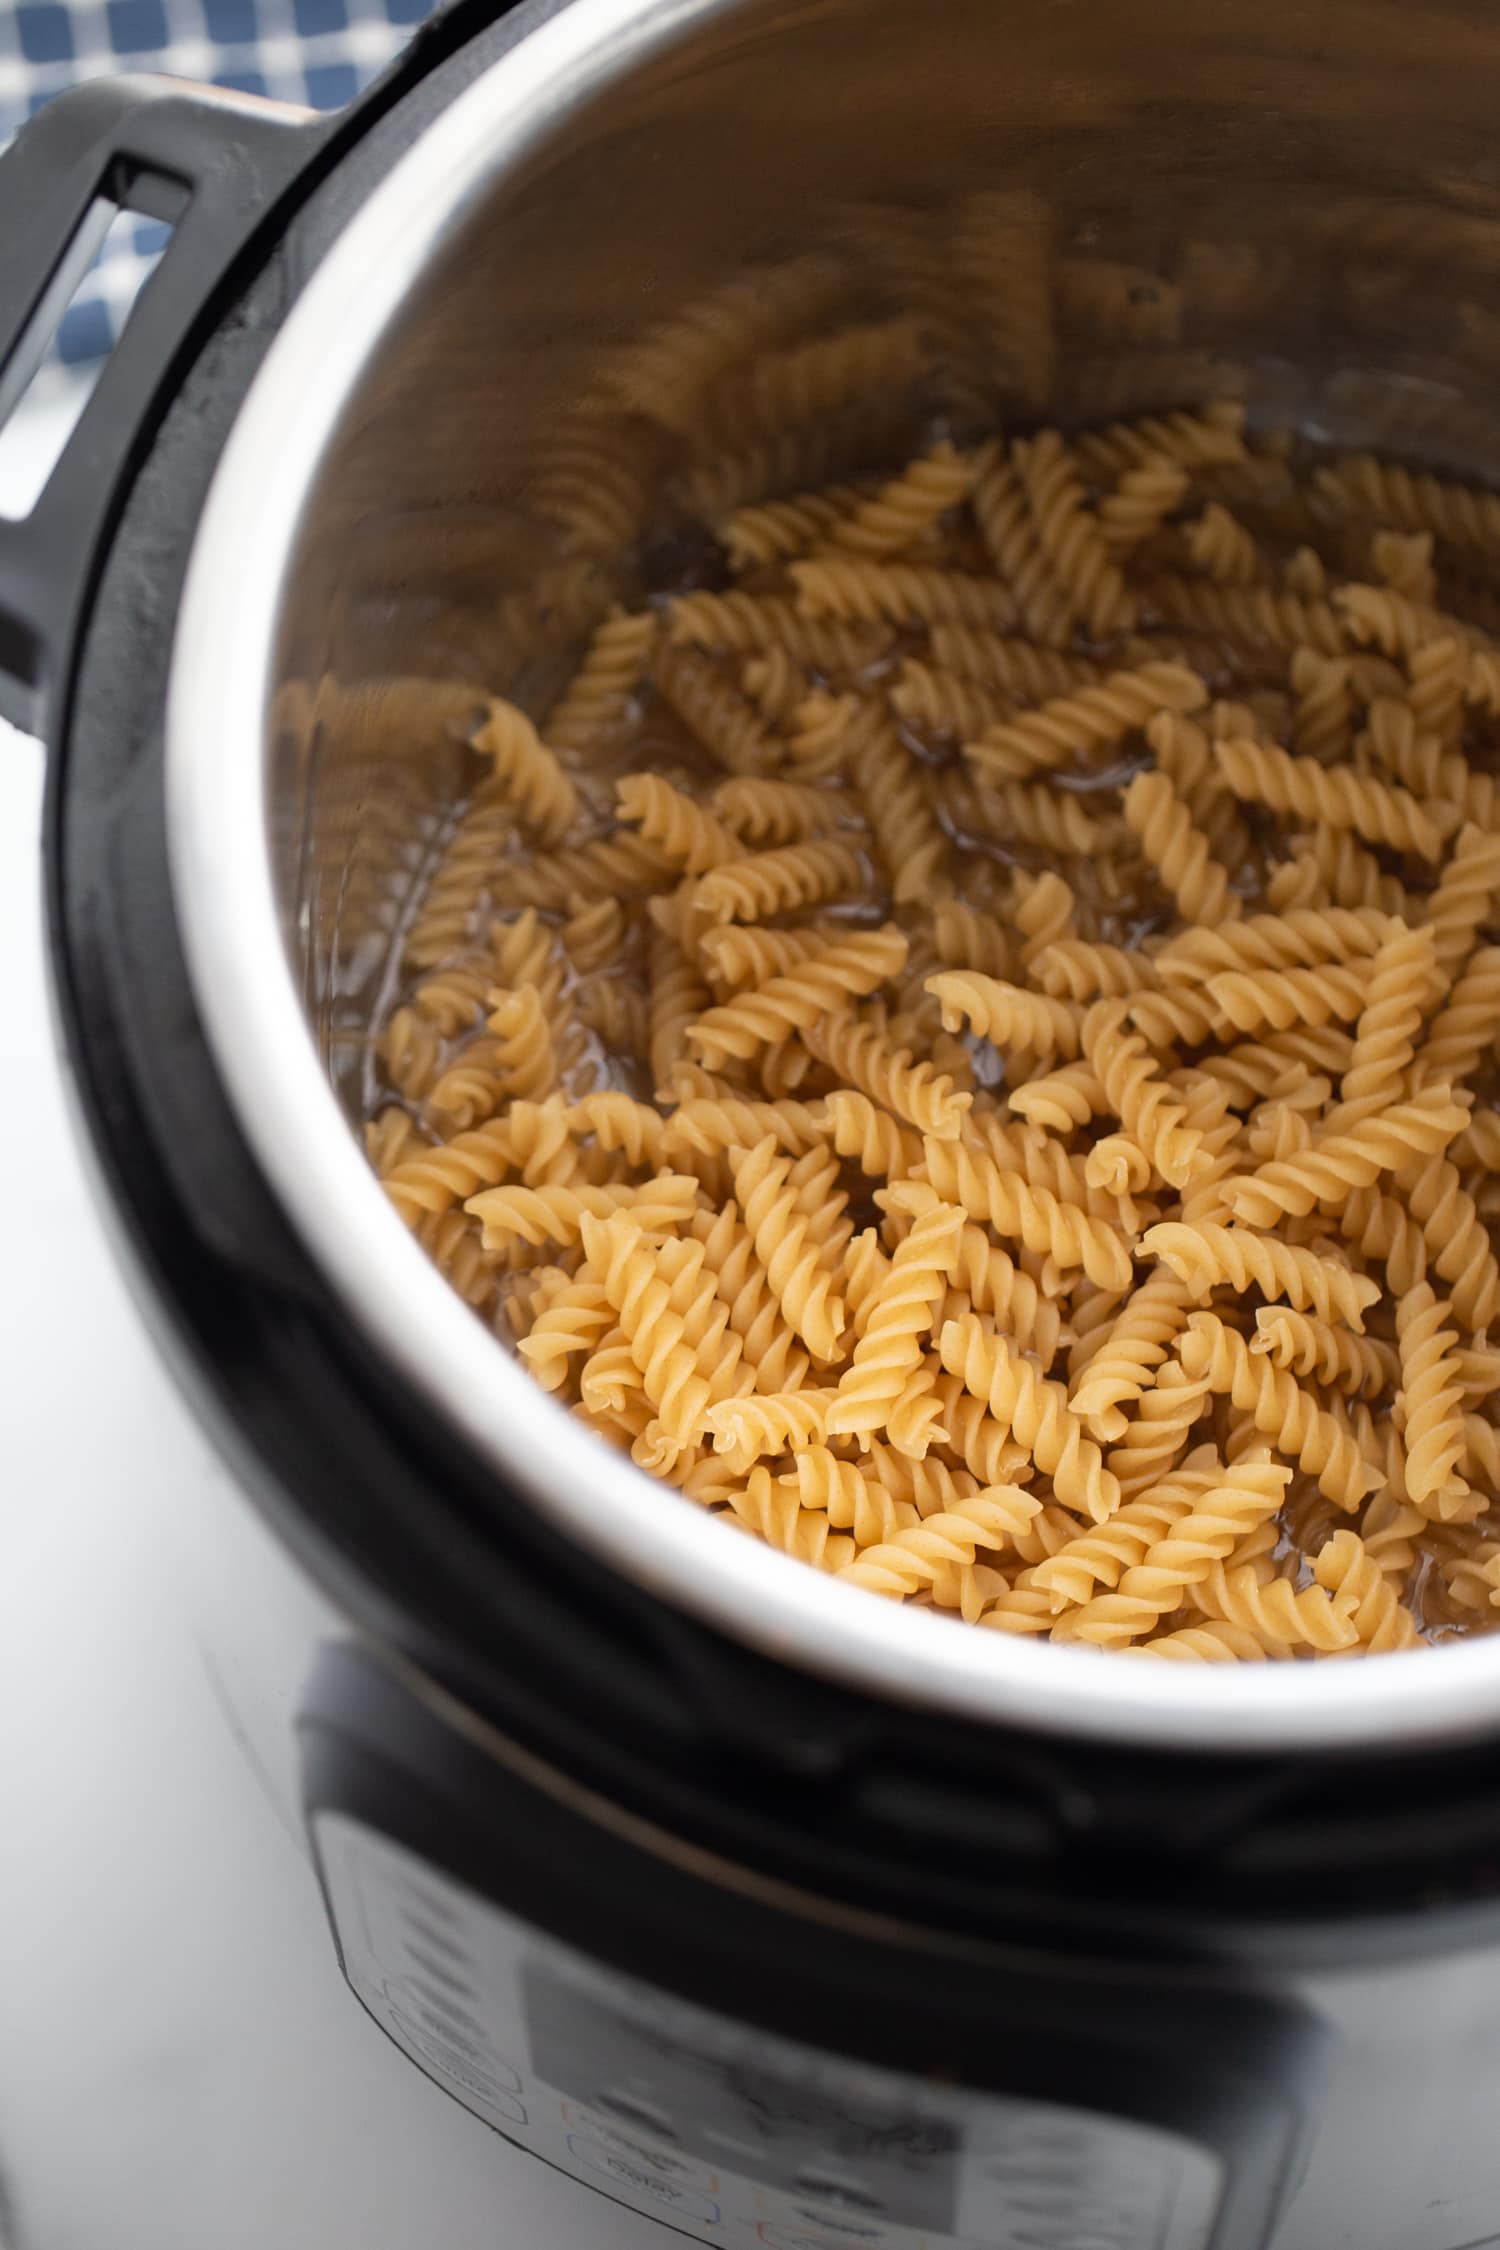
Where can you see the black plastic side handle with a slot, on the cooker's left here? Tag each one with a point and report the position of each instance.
(213, 165)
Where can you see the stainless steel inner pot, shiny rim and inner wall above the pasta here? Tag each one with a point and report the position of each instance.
(471, 438)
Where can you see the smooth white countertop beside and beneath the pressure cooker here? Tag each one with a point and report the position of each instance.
(181, 2062)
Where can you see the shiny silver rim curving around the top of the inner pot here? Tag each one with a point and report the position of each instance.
(257, 1032)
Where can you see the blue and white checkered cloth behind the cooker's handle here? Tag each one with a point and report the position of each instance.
(316, 53)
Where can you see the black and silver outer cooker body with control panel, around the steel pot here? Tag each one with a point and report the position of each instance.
(752, 1956)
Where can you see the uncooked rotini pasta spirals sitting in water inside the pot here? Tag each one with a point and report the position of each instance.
(968, 1041)
